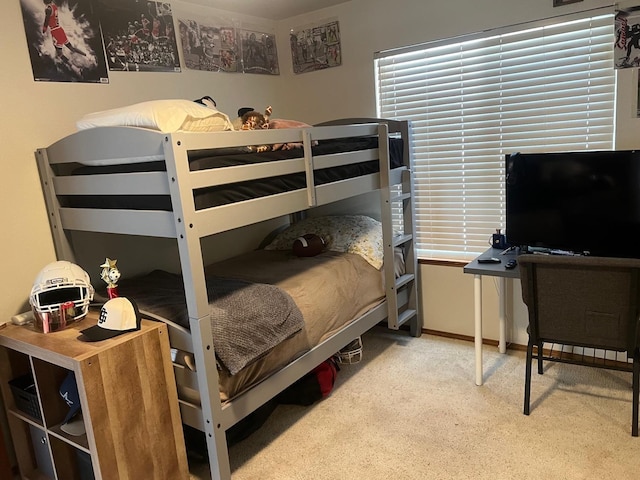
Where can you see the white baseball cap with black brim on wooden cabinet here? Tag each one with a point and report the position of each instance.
(117, 316)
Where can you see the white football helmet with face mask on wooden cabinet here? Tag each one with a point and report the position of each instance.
(60, 295)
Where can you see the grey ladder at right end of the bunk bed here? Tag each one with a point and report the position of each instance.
(398, 221)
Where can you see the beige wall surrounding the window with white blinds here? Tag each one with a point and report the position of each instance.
(348, 90)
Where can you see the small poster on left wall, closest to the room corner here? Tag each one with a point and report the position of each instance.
(259, 53)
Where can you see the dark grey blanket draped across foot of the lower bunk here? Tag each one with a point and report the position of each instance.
(247, 319)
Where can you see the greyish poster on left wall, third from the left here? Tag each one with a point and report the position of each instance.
(207, 47)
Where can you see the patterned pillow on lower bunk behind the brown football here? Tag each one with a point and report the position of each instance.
(344, 233)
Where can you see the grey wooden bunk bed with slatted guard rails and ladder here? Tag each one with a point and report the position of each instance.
(187, 186)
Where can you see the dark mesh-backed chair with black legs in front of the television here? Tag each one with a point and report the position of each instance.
(581, 301)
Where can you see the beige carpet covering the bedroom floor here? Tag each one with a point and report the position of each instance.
(411, 410)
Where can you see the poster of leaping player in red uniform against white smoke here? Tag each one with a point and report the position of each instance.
(63, 37)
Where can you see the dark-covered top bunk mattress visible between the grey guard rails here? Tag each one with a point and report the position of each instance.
(211, 159)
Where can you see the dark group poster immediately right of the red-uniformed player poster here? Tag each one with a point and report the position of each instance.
(139, 35)
